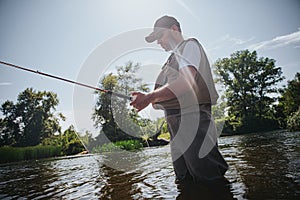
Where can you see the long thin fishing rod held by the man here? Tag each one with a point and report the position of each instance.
(67, 80)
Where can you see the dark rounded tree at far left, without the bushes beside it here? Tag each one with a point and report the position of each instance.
(30, 120)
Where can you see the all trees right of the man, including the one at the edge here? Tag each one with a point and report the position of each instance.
(252, 98)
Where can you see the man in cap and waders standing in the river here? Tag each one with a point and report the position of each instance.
(185, 91)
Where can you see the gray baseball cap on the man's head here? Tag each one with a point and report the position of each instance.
(162, 23)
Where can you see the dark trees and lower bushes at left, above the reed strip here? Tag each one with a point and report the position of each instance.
(32, 121)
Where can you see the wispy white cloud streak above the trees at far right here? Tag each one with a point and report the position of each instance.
(278, 42)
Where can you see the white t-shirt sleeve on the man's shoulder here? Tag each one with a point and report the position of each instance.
(190, 56)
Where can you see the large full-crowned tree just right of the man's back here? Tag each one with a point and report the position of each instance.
(249, 81)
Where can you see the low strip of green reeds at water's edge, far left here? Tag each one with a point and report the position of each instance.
(13, 154)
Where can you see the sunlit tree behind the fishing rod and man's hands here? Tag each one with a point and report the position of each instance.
(113, 114)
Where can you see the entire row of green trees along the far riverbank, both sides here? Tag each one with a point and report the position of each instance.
(252, 102)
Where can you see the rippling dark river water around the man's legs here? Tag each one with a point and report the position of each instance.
(262, 166)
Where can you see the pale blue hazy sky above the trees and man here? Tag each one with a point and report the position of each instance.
(84, 39)
